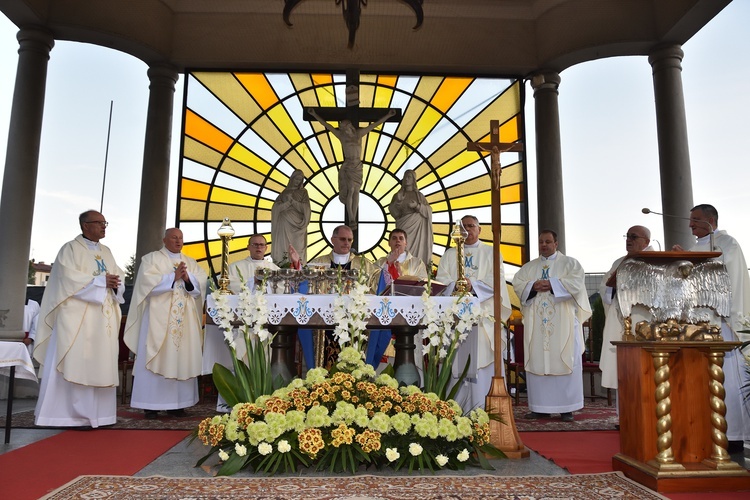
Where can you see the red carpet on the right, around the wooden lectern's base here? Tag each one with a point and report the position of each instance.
(591, 452)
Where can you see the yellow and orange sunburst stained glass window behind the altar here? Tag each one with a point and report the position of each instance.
(244, 134)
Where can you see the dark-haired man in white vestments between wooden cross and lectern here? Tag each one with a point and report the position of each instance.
(555, 305)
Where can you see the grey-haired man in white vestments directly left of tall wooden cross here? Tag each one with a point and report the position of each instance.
(480, 345)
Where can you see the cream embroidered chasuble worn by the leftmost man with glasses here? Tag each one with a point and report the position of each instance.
(86, 321)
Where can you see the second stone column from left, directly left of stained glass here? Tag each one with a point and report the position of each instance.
(156, 152)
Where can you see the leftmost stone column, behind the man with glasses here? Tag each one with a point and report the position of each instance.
(19, 181)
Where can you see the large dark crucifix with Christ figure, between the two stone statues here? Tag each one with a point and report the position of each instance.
(351, 135)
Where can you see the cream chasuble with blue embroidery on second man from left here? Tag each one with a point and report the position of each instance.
(174, 315)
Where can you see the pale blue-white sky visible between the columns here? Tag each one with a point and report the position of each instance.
(607, 120)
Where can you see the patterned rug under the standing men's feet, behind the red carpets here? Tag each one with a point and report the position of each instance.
(594, 416)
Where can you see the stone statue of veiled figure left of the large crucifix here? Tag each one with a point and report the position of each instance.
(290, 216)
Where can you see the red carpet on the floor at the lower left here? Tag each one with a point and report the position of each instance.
(34, 470)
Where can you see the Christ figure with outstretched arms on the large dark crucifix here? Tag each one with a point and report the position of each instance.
(350, 171)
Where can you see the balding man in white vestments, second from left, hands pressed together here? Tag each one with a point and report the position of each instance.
(165, 329)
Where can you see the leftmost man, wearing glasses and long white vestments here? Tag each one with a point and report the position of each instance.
(77, 337)
